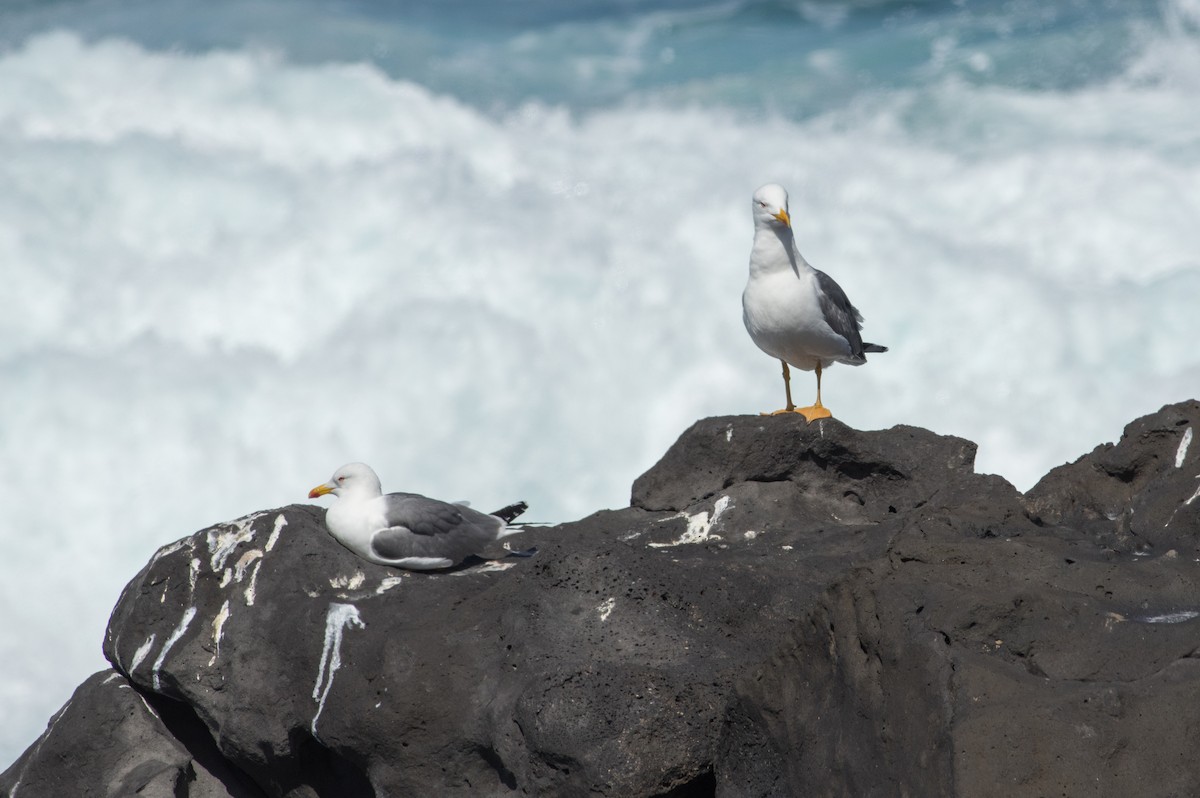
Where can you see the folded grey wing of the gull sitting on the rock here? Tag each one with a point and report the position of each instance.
(425, 527)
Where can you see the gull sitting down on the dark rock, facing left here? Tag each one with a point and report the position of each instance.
(407, 530)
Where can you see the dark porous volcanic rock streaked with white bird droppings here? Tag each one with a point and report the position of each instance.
(784, 610)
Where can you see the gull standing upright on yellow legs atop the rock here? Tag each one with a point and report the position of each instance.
(794, 311)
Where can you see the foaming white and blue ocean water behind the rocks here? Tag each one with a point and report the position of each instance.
(497, 251)
